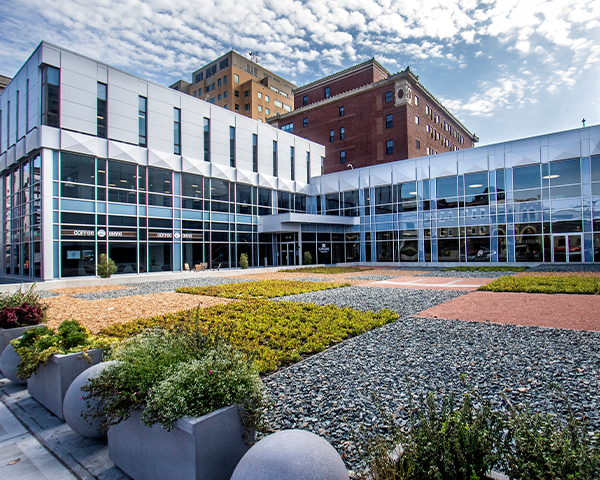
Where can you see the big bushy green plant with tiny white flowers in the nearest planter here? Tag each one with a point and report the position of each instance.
(170, 375)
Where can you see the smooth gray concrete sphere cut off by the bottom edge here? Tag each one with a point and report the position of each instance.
(291, 455)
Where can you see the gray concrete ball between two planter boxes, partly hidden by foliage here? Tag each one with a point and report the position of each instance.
(74, 405)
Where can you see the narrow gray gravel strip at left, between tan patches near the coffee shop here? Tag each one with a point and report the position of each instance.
(158, 287)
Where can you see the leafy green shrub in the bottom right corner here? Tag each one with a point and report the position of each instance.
(541, 446)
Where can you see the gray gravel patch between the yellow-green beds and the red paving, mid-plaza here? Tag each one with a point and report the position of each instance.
(402, 301)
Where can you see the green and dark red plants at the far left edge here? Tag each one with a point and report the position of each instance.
(22, 309)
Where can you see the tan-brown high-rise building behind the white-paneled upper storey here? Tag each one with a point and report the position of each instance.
(236, 83)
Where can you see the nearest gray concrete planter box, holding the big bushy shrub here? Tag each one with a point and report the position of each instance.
(207, 447)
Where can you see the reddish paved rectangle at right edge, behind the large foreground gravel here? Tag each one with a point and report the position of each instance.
(577, 312)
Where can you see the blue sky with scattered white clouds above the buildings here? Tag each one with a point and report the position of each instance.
(507, 69)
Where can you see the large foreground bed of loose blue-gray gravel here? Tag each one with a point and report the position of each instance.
(330, 393)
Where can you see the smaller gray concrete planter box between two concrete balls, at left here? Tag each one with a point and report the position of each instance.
(51, 381)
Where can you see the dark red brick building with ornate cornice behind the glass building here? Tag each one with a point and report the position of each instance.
(366, 116)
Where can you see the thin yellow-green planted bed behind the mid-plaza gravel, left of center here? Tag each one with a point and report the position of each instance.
(262, 289)
